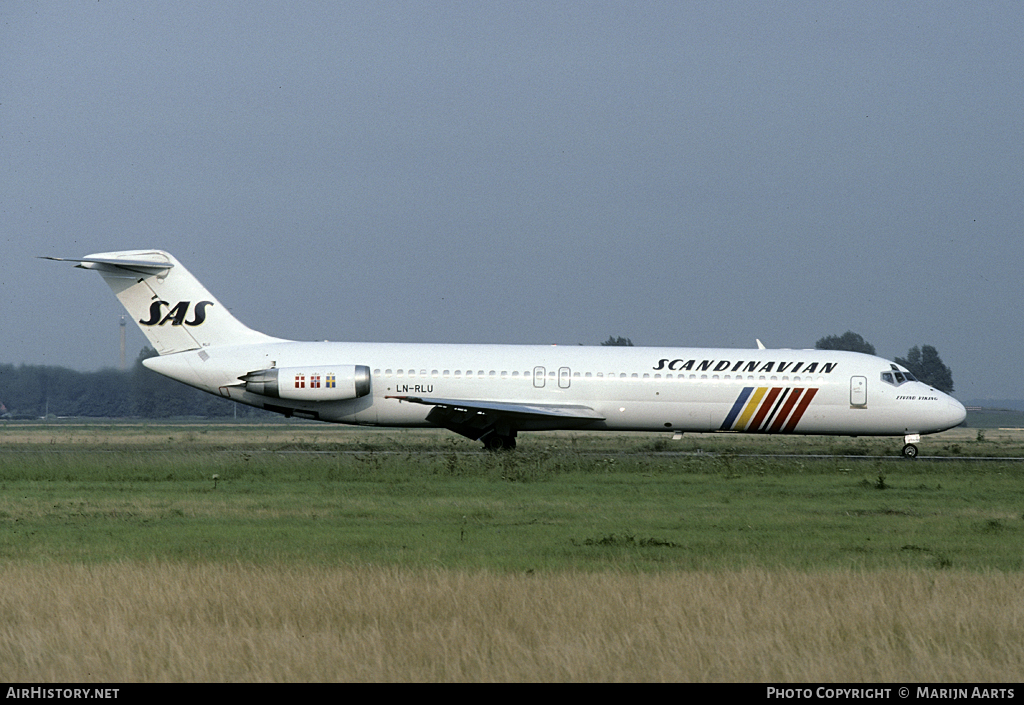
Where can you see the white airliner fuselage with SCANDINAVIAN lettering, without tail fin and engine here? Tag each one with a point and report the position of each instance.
(633, 389)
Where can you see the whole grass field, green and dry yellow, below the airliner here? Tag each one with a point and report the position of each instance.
(304, 552)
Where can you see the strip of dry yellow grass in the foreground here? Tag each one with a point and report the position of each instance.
(178, 623)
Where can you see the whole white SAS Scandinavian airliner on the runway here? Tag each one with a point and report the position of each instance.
(492, 393)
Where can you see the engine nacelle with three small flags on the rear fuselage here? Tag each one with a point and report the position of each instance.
(317, 384)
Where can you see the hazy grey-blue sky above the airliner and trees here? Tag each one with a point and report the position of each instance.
(679, 174)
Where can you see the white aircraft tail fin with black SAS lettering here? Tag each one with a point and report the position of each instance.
(174, 310)
